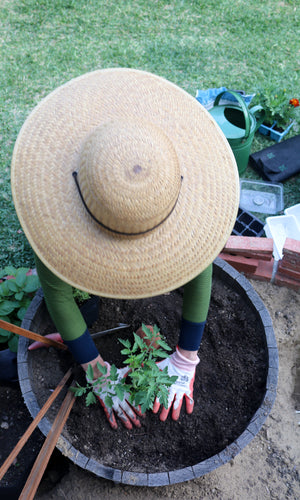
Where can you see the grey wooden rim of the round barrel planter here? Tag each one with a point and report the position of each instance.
(35, 320)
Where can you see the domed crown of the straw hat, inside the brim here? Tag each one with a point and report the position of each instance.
(129, 175)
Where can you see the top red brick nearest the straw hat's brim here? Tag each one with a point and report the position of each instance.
(249, 244)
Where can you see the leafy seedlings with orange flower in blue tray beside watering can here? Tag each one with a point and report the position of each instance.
(279, 112)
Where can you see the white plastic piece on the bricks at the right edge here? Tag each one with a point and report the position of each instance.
(279, 228)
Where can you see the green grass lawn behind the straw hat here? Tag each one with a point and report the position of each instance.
(196, 44)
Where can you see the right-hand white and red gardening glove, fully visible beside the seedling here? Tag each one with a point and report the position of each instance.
(185, 370)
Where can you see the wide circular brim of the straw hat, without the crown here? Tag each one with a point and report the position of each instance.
(57, 225)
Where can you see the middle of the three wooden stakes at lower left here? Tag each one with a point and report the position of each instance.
(5, 466)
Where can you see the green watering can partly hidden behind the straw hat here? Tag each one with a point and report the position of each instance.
(239, 124)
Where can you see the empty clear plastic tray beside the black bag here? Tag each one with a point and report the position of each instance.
(261, 197)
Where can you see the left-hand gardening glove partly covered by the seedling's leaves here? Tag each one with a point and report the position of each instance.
(125, 412)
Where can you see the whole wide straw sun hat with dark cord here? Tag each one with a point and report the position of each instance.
(124, 184)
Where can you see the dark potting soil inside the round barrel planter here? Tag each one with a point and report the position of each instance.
(229, 387)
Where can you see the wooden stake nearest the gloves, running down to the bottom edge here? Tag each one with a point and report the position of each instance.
(43, 457)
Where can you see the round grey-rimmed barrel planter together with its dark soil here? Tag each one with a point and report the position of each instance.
(235, 386)
